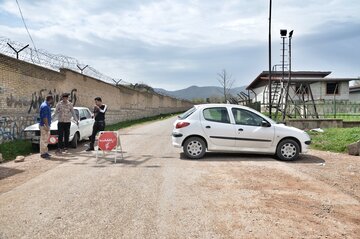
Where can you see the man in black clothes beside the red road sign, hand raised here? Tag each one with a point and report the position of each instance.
(99, 124)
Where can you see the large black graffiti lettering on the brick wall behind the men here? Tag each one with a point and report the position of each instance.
(37, 98)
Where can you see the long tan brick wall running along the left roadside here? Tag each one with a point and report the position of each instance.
(23, 87)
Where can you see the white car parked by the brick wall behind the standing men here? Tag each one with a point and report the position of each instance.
(77, 132)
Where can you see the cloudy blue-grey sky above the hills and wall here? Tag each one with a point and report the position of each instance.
(174, 44)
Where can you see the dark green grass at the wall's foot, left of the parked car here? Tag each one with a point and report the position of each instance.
(15, 148)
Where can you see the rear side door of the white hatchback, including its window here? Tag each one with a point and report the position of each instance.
(215, 123)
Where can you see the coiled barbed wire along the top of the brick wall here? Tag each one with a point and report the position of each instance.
(53, 61)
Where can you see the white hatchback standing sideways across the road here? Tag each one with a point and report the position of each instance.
(235, 128)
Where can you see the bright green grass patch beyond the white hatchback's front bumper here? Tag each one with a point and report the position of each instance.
(334, 139)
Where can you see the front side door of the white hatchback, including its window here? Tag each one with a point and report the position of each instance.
(252, 132)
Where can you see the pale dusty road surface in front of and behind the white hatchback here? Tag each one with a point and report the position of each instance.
(154, 193)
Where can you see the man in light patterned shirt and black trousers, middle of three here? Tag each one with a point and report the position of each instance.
(64, 111)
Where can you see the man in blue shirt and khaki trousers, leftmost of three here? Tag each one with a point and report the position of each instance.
(45, 122)
